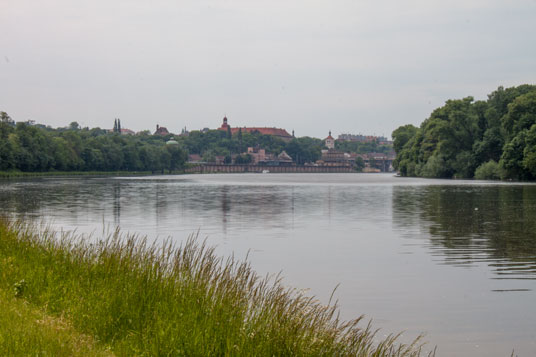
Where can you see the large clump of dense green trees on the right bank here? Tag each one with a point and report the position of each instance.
(464, 138)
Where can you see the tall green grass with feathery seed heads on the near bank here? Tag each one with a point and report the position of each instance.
(122, 296)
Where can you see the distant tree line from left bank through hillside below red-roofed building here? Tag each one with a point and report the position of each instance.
(27, 147)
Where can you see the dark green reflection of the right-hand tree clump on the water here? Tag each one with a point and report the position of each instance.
(469, 224)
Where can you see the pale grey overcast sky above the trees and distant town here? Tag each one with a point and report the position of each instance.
(350, 66)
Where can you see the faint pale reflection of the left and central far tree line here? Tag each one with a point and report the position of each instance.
(164, 201)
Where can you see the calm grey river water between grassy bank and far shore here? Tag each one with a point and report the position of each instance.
(455, 260)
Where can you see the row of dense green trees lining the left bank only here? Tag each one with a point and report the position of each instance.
(32, 148)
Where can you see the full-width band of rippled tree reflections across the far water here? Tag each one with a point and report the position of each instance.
(462, 224)
